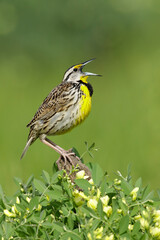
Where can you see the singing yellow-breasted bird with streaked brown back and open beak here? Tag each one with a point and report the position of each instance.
(65, 107)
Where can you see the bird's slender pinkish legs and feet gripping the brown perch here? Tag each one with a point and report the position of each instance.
(66, 155)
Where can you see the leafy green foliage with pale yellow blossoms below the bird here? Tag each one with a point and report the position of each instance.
(98, 208)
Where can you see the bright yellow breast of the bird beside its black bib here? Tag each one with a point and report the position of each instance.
(85, 104)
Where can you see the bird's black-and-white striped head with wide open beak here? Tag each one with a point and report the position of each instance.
(75, 73)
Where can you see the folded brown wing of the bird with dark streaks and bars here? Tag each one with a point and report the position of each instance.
(54, 102)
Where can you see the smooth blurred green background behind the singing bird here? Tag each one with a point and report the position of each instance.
(40, 40)
